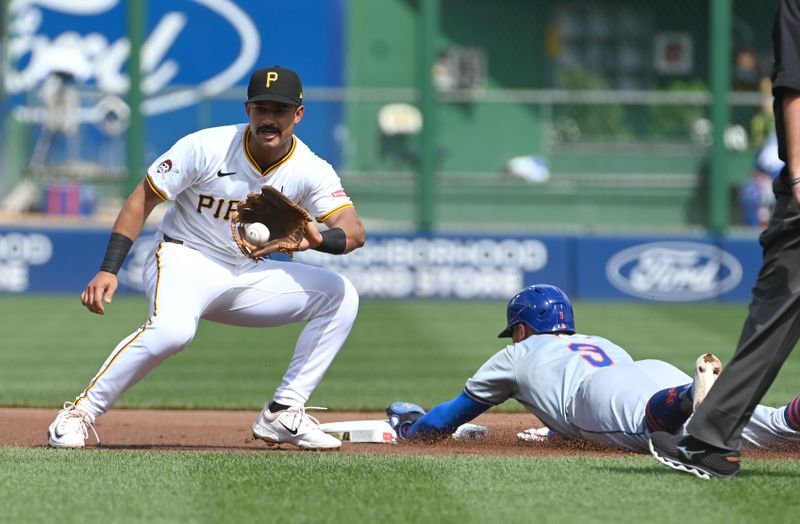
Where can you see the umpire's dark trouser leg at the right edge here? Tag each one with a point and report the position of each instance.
(769, 334)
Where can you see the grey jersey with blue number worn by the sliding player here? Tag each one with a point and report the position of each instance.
(543, 372)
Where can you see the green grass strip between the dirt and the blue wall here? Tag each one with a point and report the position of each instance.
(417, 351)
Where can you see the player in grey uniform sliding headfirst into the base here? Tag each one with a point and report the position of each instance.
(583, 387)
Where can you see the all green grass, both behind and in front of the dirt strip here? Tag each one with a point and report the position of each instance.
(417, 351)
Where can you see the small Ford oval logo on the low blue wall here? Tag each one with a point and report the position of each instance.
(674, 271)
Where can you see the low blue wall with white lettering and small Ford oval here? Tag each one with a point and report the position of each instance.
(654, 269)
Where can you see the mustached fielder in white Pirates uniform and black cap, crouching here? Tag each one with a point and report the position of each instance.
(196, 270)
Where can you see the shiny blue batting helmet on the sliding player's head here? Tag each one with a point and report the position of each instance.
(543, 308)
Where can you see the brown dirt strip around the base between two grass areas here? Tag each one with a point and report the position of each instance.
(230, 431)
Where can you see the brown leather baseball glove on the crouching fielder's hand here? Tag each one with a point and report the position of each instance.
(287, 223)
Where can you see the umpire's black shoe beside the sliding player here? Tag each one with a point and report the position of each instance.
(694, 456)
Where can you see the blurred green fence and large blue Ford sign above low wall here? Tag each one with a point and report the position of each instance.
(437, 114)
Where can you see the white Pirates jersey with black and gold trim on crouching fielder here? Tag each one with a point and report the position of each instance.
(209, 172)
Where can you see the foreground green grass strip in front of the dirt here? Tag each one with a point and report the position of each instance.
(131, 486)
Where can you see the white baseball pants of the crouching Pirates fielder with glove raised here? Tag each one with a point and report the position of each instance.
(183, 285)
